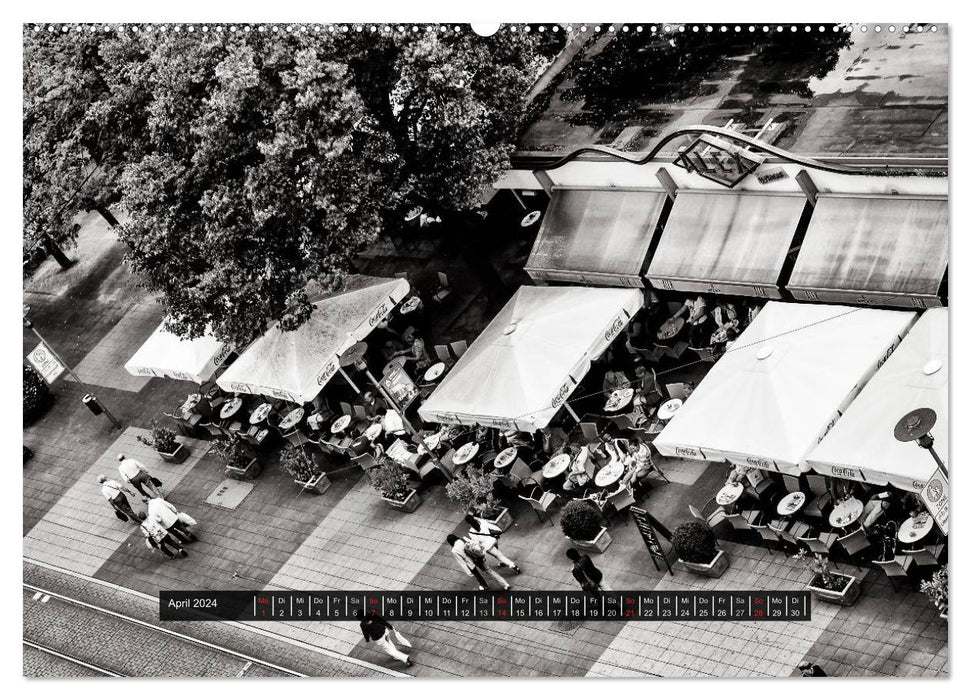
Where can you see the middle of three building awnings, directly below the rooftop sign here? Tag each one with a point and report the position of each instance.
(726, 243)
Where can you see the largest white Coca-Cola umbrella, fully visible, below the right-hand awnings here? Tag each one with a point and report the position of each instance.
(783, 384)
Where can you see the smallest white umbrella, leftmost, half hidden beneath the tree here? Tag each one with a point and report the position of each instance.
(165, 354)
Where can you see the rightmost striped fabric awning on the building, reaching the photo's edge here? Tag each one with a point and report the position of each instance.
(881, 250)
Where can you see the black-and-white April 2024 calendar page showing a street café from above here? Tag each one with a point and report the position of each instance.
(467, 350)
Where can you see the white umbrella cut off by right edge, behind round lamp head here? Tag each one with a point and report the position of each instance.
(861, 446)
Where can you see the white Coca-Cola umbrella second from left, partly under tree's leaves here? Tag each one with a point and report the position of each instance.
(295, 365)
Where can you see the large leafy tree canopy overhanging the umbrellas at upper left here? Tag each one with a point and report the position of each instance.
(253, 162)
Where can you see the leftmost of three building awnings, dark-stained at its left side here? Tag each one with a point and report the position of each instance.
(596, 237)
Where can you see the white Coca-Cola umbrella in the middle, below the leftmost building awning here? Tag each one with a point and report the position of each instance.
(529, 359)
